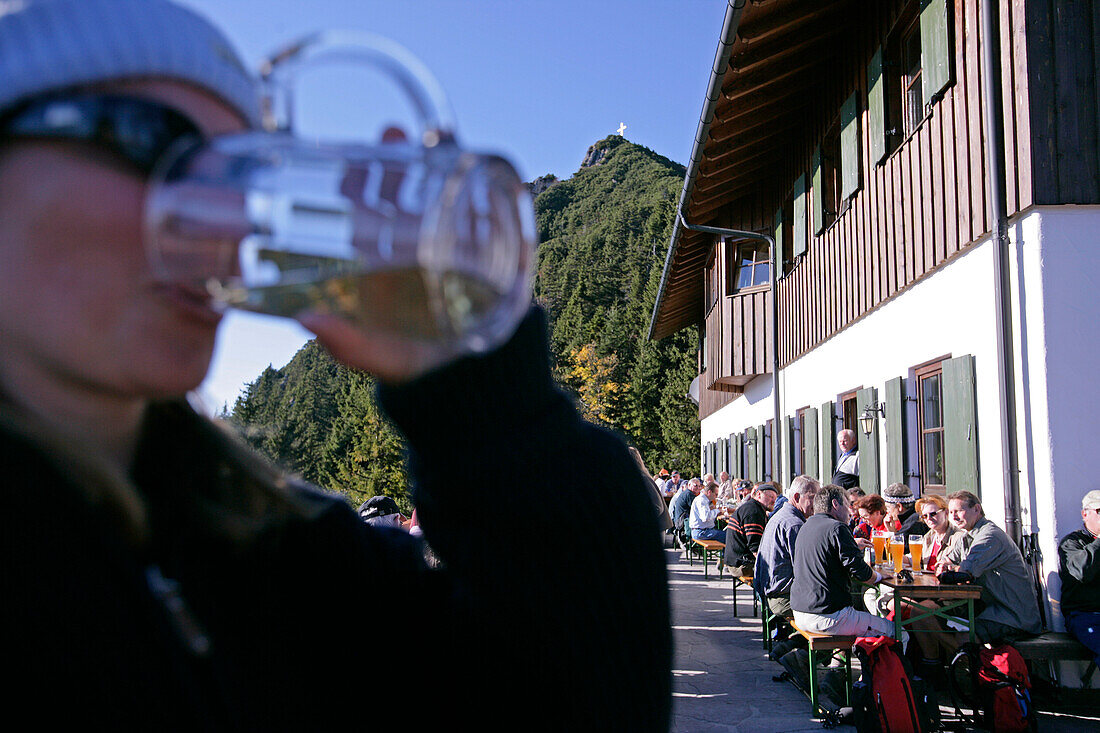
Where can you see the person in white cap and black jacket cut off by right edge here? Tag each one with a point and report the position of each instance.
(1080, 570)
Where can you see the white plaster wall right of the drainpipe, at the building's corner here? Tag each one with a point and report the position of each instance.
(1057, 291)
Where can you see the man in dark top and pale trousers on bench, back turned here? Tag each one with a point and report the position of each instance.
(827, 557)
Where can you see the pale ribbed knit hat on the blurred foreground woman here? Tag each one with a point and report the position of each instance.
(47, 46)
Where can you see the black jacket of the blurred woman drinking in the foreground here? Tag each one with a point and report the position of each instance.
(298, 616)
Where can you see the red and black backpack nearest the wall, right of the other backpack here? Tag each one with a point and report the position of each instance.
(1002, 685)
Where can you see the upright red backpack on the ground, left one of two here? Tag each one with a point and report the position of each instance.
(884, 698)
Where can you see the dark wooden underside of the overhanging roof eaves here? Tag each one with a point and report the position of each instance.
(761, 100)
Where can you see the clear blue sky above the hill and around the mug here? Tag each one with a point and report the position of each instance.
(538, 82)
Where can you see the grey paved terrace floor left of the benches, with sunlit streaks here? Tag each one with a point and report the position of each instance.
(723, 681)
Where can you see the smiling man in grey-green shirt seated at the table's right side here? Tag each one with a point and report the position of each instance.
(988, 557)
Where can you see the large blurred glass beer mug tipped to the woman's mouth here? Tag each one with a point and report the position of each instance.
(421, 240)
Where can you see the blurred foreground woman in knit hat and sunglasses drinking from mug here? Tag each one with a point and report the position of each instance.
(158, 575)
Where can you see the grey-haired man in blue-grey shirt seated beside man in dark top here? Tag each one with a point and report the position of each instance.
(775, 565)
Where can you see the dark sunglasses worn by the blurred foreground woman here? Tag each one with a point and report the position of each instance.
(137, 132)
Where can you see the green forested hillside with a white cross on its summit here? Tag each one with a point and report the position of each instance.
(602, 240)
